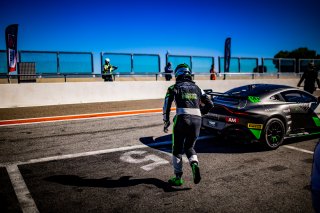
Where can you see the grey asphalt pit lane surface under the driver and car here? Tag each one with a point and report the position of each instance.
(121, 163)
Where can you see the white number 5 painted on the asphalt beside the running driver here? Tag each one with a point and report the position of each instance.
(141, 157)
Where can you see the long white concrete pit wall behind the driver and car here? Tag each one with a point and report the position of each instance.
(35, 94)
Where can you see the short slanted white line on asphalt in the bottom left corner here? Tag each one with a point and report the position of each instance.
(25, 199)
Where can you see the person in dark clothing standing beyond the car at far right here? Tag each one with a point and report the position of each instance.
(310, 77)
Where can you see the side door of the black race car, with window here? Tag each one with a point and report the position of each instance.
(301, 105)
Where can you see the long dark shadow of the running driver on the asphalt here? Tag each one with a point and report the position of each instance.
(124, 181)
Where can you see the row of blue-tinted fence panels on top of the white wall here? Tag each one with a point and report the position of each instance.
(61, 64)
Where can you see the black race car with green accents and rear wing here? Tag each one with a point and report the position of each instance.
(265, 113)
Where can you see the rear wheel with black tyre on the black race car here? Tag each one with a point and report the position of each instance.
(273, 133)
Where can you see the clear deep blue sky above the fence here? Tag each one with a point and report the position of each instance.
(258, 28)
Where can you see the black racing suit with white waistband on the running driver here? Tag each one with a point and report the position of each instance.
(187, 122)
